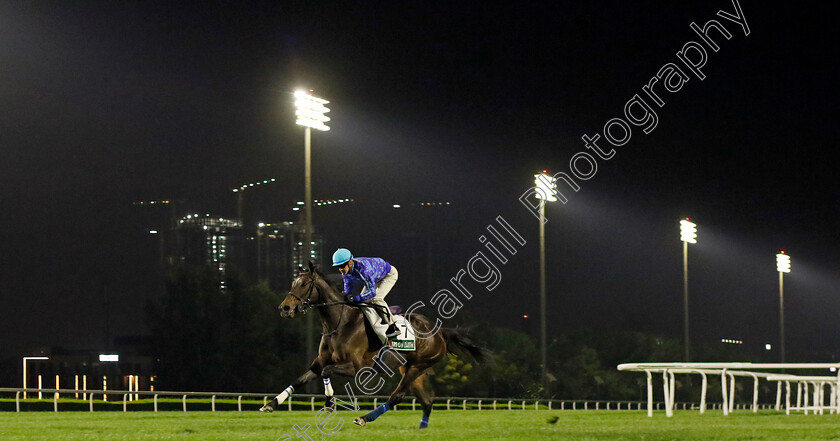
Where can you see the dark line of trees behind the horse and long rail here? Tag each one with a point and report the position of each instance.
(233, 339)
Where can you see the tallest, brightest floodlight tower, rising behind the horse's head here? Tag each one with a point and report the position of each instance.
(311, 113)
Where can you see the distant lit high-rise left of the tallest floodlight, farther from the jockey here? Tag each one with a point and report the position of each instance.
(217, 242)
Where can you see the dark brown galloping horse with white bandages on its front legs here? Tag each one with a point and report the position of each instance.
(347, 346)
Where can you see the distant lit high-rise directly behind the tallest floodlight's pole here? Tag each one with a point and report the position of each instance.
(280, 252)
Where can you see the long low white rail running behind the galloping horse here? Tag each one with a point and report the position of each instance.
(197, 401)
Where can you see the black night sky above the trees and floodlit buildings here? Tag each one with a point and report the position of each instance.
(108, 103)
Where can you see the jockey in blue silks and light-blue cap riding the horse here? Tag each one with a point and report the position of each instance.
(378, 277)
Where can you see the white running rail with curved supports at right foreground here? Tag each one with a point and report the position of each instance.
(728, 372)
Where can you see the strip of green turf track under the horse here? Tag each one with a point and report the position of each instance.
(528, 425)
